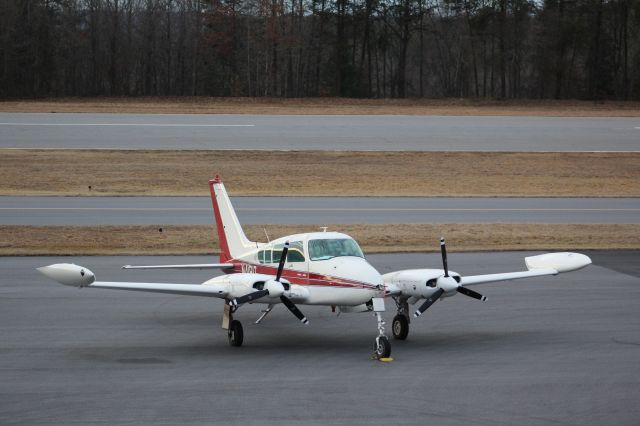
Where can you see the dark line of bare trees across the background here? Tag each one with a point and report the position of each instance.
(581, 49)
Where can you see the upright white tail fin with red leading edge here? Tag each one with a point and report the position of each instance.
(233, 242)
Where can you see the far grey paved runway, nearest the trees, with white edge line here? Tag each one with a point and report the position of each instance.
(415, 133)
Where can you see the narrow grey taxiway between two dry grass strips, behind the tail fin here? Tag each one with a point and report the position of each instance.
(315, 210)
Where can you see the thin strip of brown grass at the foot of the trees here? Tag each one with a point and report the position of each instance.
(325, 106)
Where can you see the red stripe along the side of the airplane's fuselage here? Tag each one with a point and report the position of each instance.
(291, 275)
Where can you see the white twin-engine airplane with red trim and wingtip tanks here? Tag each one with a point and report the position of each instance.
(317, 268)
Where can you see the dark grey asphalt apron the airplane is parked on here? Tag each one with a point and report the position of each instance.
(557, 350)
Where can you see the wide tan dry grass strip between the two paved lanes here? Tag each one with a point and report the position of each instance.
(319, 173)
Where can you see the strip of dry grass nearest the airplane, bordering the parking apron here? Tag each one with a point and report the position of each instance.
(148, 240)
